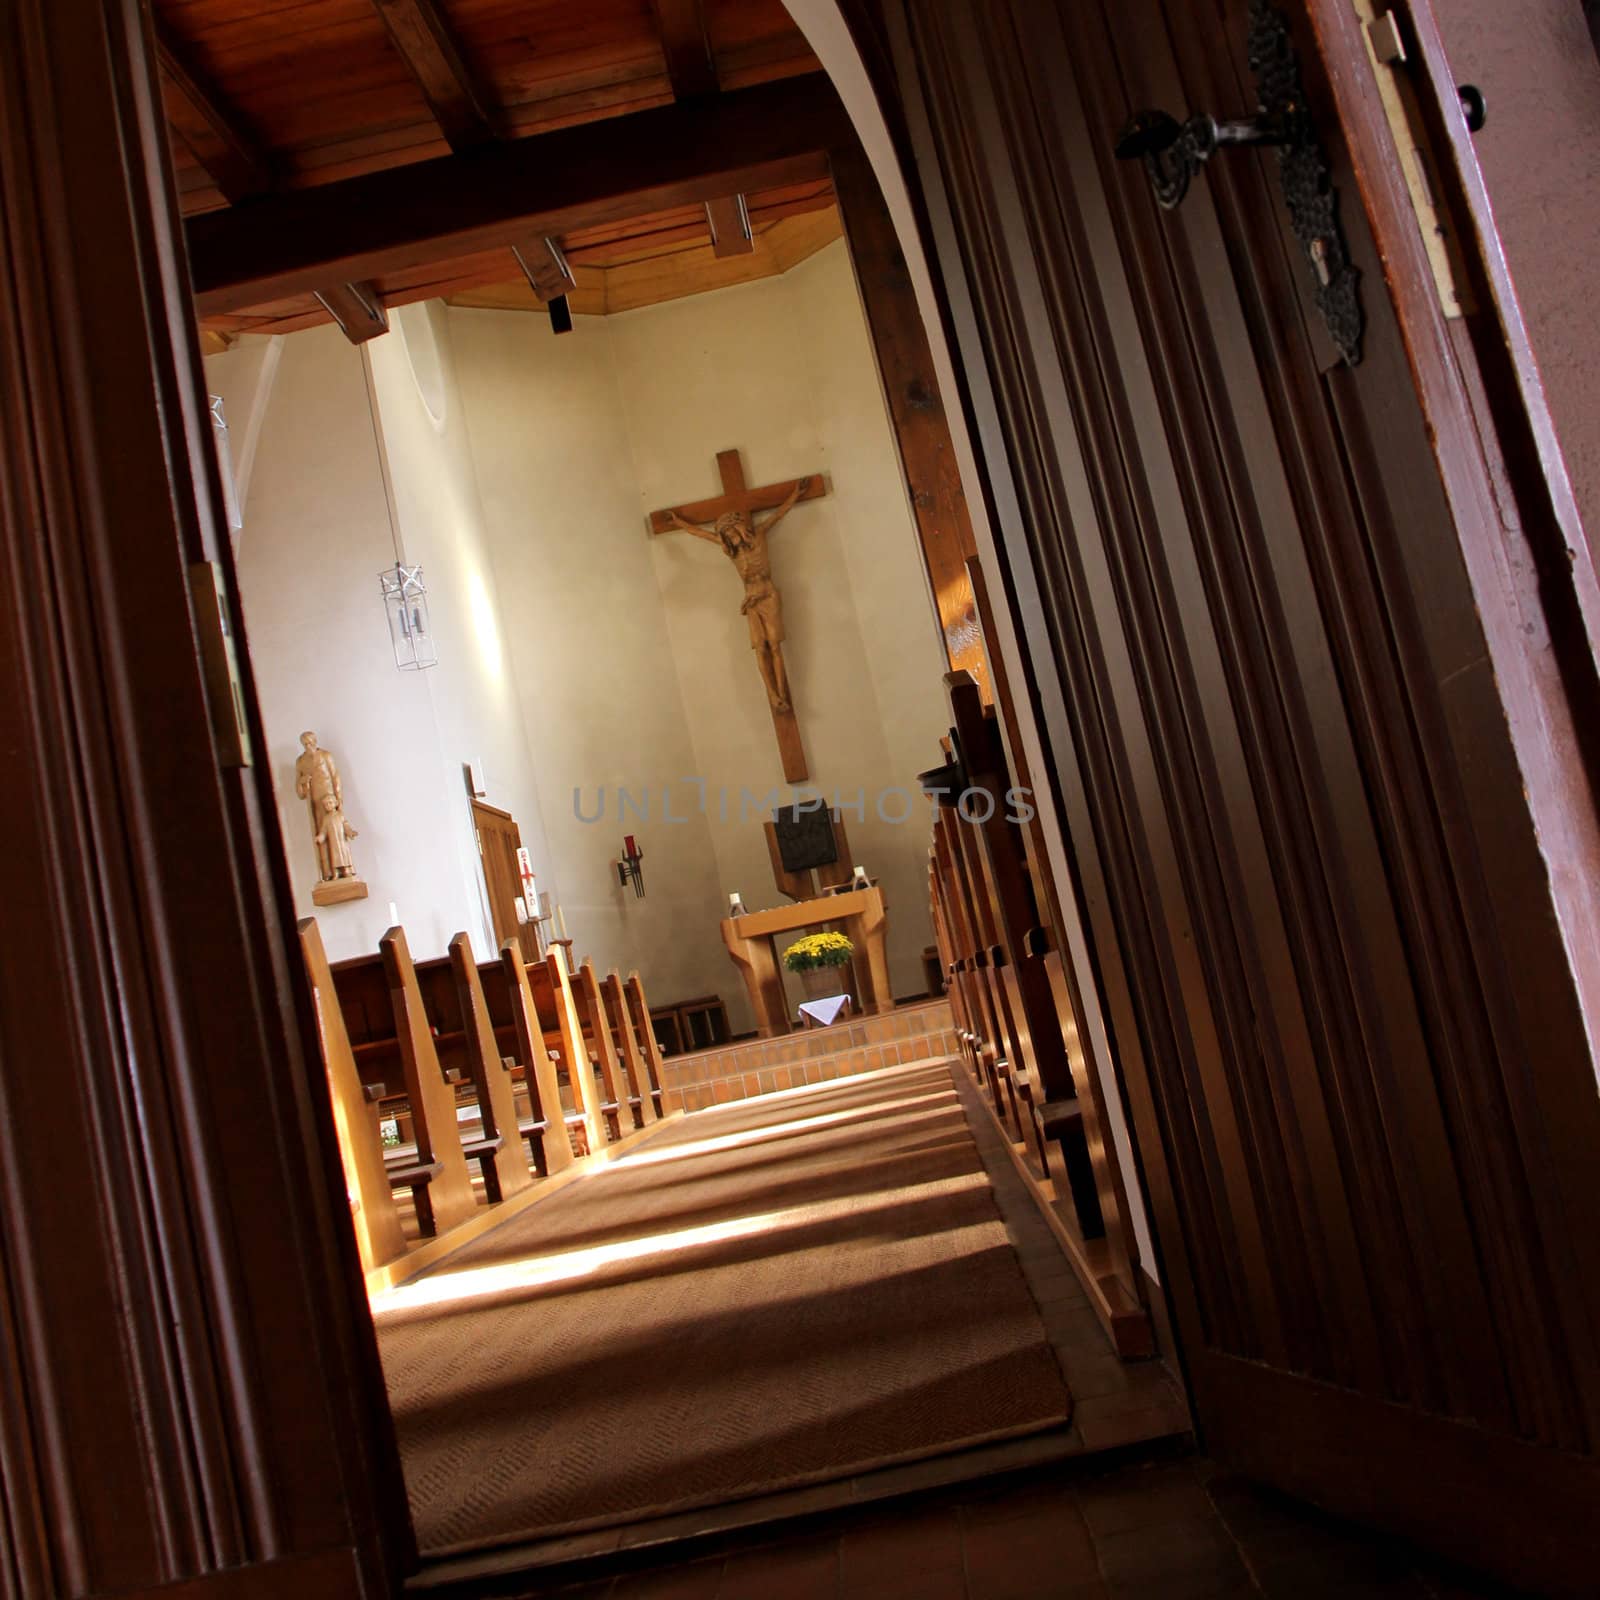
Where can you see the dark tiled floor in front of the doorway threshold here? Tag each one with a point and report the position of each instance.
(1162, 1532)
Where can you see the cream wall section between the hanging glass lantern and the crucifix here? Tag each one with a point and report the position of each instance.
(590, 647)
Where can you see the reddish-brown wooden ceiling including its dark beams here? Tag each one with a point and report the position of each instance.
(314, 140)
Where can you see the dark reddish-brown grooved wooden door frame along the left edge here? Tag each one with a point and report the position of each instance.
(188, 1367)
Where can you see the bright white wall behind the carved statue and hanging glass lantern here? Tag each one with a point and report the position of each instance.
(314, 542)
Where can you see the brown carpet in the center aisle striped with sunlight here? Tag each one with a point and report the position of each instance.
(780, 1292)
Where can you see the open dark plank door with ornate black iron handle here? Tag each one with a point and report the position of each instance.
(1310, 644)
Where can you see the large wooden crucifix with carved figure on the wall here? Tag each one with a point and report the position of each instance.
(743, 540)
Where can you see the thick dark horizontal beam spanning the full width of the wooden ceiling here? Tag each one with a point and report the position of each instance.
(506, 194)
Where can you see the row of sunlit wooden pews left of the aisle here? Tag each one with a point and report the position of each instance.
(510, 1068)
